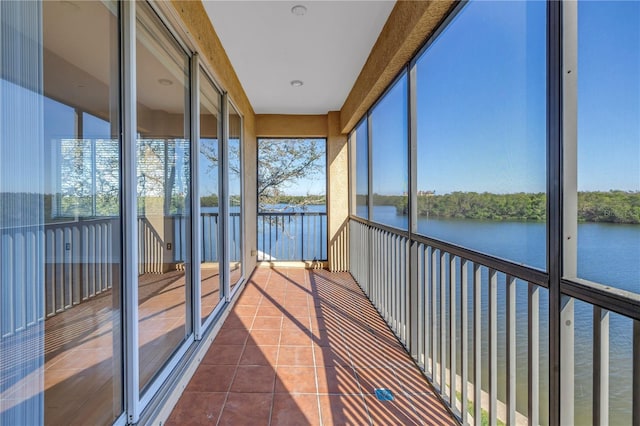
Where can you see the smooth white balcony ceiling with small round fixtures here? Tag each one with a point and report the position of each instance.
(269, 47)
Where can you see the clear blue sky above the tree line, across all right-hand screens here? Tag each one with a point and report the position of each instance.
(481, 103)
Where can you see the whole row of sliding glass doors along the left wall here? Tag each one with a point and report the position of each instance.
(99, 298)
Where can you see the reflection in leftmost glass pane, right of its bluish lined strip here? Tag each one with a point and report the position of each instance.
(83, 362)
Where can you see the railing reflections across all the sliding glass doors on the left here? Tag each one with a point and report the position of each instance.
(82, 261)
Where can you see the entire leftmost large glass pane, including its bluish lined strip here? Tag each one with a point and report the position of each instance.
(60, 291)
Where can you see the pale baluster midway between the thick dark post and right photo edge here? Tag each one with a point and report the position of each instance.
(600, 366)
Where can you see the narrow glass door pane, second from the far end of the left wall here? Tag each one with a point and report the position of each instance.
(209, 191)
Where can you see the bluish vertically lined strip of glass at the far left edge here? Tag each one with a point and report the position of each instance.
(22, 195)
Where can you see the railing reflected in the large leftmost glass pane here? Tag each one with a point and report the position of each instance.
(79, 265)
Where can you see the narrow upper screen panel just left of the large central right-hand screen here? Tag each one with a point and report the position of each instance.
(389, 144)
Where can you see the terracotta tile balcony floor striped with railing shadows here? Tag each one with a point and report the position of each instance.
(306, 347)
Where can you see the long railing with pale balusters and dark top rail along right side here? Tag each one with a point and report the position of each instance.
(479, 327)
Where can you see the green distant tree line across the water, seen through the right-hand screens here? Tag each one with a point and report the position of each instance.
(608, 207)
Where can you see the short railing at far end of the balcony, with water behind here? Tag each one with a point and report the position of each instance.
(292, 236)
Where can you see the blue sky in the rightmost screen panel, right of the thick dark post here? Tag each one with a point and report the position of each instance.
(609, 96)
